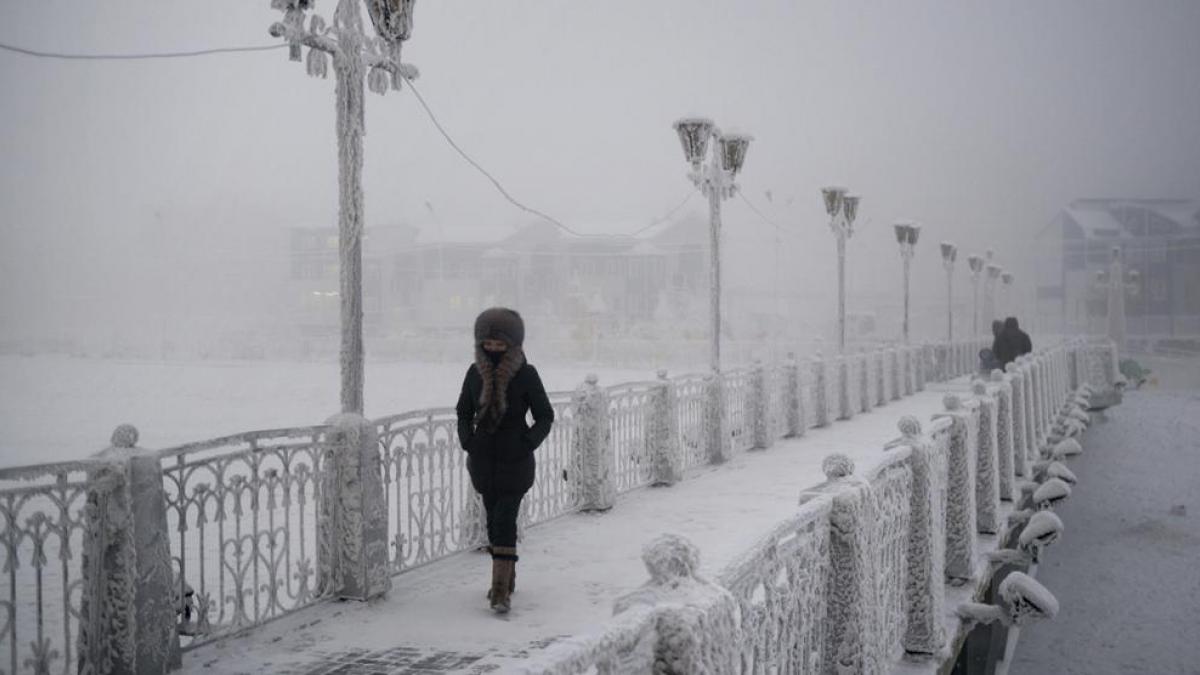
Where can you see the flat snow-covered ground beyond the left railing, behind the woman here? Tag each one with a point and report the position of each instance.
(57, 409)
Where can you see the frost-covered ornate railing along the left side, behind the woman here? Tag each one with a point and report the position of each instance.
(236, 527)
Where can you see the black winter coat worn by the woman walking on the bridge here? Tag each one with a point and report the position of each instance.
(502, 462)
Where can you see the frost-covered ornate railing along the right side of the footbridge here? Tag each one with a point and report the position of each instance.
(859, 577)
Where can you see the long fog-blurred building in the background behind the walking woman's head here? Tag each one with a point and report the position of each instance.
(415, 285)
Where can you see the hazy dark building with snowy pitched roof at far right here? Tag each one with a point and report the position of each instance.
(1159, 238)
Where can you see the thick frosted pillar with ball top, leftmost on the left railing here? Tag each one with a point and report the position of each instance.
(128, 622)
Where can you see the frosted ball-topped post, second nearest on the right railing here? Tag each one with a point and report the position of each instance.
(853, 641)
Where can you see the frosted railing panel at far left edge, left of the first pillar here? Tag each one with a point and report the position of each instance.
(44, 530)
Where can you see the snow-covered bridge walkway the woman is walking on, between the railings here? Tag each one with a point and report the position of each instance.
(436, 619)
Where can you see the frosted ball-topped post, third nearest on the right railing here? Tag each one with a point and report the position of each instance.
(926, 581)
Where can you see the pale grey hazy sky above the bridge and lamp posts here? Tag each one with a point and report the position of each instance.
(979, 120)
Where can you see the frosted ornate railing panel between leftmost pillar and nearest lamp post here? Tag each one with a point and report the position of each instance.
(243, 519)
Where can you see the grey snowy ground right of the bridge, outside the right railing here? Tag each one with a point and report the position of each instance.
(1127, 570)
